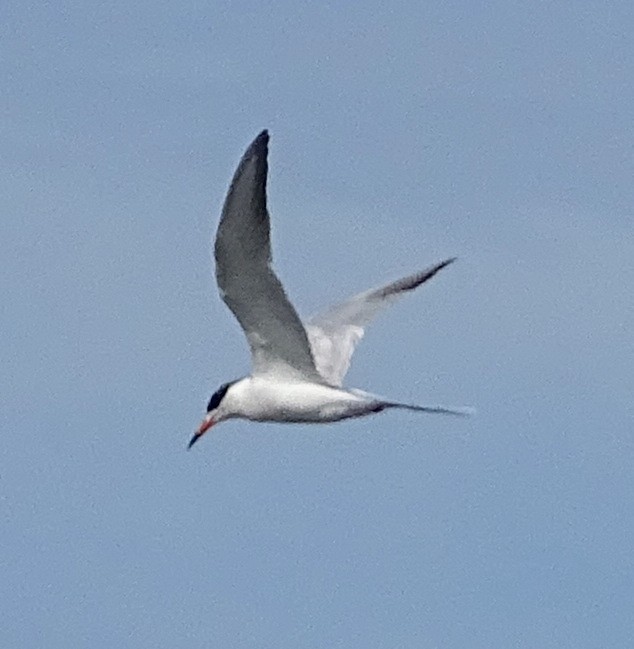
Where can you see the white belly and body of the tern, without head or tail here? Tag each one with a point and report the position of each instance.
(265, 400)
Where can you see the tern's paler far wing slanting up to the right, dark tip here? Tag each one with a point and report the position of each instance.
(334, 334)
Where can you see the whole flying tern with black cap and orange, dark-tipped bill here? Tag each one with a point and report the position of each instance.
(297, 368)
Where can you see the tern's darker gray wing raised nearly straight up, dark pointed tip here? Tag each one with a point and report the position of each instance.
(247, 283)
